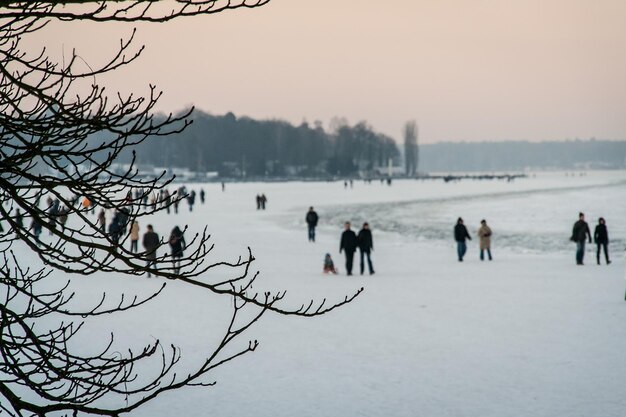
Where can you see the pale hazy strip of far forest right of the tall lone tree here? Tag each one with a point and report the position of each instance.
(515, 156)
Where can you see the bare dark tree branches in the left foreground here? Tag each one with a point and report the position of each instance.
(57, 150)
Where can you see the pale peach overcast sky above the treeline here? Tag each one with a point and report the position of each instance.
(464, 70)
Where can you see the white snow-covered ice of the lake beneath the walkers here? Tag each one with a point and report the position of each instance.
(529, 334)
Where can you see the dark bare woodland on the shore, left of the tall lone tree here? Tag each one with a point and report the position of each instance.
(241, 146)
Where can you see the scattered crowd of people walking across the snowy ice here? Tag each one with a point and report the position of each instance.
(121, 225)
